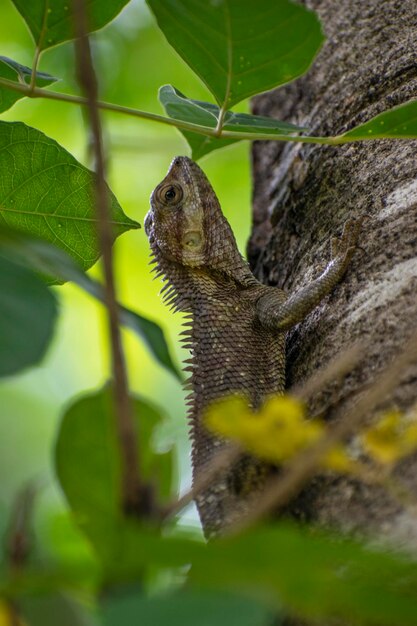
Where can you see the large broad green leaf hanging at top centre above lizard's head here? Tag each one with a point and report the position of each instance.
(240, 47)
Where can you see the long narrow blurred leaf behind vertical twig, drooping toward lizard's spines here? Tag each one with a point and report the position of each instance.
(59, 267)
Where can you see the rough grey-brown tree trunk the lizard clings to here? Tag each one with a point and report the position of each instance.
(302, 196)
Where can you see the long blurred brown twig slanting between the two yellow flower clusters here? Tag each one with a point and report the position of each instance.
(304, 465)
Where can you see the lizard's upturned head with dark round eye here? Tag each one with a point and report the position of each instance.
(185, 223)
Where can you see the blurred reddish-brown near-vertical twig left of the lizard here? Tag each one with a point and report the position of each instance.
(134, 492)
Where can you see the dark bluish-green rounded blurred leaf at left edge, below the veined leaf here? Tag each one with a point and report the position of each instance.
(27, 316)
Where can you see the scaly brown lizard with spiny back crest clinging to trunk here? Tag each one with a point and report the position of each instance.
(235, 326)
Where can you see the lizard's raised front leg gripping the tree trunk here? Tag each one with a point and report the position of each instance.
(275, 313)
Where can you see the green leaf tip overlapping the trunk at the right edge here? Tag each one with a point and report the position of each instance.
(399, 122)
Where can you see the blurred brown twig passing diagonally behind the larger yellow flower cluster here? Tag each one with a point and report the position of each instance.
(336, 368)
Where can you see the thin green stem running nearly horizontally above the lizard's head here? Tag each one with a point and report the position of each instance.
(207, 131)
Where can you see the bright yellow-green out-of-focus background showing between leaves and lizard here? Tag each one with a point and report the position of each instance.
(133, 60)
